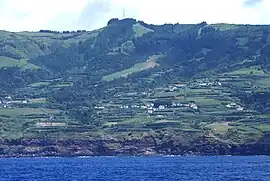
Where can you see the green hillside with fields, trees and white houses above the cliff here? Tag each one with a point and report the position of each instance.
(130, 78)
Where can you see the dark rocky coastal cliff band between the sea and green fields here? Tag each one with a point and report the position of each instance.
(146, 146)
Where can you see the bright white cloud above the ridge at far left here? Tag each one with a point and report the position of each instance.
(33, 15)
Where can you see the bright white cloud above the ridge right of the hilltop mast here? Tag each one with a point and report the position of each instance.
(195, 11)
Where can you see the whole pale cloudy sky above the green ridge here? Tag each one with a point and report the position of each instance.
(33, 15)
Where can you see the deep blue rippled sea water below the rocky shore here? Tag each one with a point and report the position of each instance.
(137, 168)
